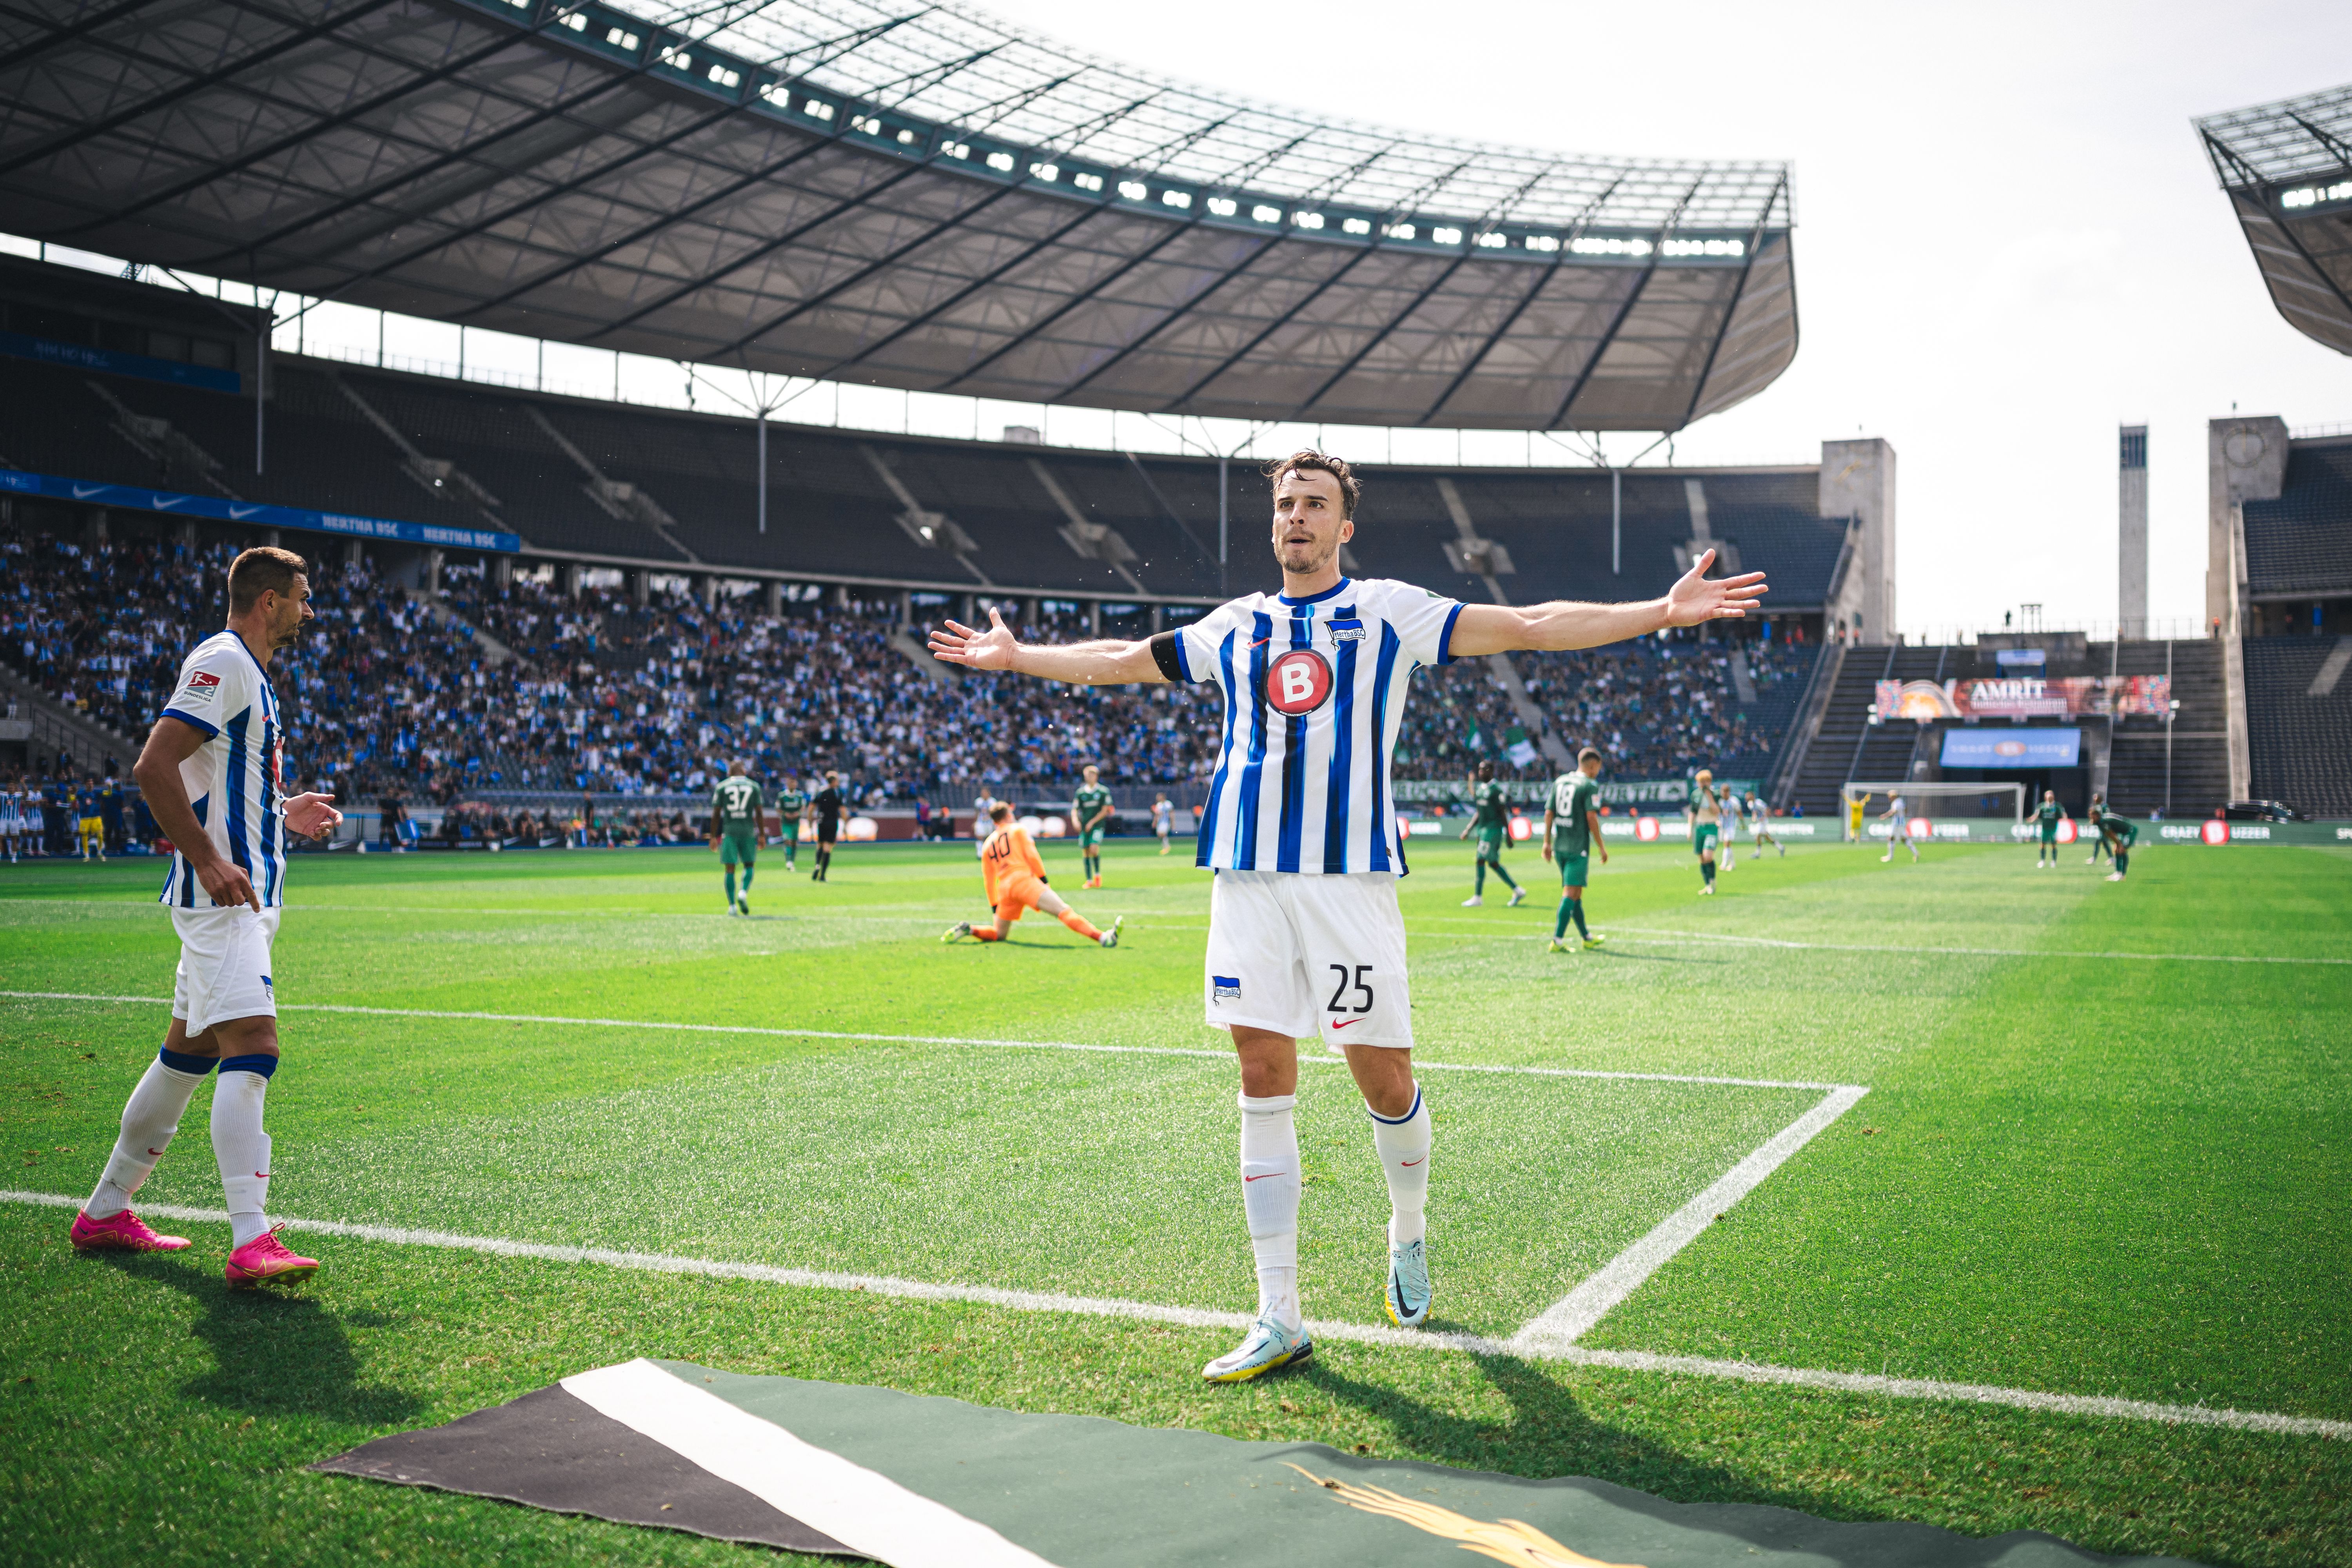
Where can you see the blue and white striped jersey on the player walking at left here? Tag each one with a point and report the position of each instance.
(236, 777)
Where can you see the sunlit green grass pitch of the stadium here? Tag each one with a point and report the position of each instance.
(2073, 1174)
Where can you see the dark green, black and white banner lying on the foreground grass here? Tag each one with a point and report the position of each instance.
(944, 1485)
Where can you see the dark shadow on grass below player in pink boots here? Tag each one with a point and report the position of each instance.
(274, 1353)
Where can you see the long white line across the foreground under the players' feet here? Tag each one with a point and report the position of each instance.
(1356, 1334)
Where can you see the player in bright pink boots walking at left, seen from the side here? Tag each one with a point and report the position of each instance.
(213, 777)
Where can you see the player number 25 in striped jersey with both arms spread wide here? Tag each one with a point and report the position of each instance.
(1302, 833)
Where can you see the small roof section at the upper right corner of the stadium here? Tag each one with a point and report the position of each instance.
(2290, 177)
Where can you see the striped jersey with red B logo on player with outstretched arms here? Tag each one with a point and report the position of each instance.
(1314, 702)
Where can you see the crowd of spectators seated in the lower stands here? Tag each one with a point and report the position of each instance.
(523, 688)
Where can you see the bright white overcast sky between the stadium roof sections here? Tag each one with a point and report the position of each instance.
(2007, 234)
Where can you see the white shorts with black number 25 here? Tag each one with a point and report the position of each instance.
(1309, 956)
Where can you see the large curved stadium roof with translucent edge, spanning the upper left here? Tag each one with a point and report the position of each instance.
(895, 194)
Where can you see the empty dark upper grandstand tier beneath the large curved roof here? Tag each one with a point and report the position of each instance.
(669, 490)
